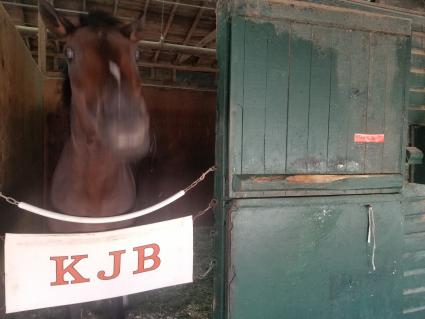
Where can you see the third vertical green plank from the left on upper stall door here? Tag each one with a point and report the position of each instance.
(276, 98)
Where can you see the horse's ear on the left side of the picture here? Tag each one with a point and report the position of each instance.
(56, 24)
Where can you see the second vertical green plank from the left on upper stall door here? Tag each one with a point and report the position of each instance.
(255, 84)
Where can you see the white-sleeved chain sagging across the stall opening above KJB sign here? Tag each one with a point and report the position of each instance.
(109, 219)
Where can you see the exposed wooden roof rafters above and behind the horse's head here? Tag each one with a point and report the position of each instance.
(184, 20)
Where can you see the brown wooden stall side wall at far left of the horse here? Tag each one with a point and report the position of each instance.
(21, 116)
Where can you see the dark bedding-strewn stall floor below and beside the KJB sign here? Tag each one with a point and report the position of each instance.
(180, 302)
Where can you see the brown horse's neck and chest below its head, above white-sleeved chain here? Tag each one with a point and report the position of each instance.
(89, 181)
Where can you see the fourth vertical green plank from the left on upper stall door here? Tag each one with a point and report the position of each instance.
(299, 100)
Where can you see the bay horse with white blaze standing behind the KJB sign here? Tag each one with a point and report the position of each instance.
(109, 121)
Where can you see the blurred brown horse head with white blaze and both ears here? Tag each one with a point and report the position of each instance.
(107, 107)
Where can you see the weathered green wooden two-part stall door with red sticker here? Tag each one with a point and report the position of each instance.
(298, 81)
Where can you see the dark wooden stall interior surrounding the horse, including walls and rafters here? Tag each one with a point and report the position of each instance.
(179, 73)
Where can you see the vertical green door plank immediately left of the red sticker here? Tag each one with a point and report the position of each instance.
(339, 100)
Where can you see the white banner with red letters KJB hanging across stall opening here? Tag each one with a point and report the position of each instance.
(45, 270)
